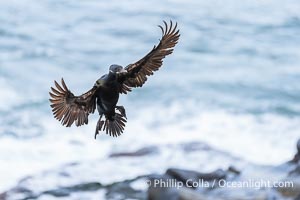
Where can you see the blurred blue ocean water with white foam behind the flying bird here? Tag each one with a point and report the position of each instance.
(233, 81)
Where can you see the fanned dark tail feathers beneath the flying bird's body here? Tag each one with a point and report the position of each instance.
(113, 128)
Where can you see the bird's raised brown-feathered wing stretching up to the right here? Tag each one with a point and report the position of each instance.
(136, 73)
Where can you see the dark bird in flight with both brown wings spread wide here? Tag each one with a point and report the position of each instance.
(68, 108)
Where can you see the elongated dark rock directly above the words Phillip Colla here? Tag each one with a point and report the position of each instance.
(185, 175)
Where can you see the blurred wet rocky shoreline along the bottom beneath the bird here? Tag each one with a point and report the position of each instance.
(248, 181)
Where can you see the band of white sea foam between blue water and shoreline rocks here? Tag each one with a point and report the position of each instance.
(255, 139)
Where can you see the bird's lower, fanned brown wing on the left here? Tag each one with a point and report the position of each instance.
(68, 108)
